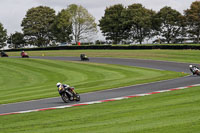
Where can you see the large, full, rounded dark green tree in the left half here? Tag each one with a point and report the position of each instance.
(37, 25)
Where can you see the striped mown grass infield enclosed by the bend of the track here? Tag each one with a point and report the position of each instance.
(28, 79)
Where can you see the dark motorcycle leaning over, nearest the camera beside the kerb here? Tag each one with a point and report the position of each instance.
(69, 94)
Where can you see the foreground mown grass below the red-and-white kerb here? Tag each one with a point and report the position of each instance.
(170, 112)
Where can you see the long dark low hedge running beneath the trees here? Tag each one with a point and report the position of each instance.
(167, 46)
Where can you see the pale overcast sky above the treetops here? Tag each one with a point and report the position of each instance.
(13, 11)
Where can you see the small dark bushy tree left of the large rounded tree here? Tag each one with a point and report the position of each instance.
(16, 40)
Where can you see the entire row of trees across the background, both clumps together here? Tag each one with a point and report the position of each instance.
(42, 27)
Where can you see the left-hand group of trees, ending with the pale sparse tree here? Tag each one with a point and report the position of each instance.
(42, 27)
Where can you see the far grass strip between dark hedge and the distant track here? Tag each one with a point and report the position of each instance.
(191, 56)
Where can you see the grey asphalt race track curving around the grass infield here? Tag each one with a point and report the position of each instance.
(116, 92)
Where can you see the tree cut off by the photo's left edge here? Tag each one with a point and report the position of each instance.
(3, 36)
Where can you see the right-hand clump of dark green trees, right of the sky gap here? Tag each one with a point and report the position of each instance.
(136, 23)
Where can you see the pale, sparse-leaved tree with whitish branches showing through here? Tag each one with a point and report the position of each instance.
(83, 23)
